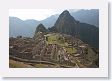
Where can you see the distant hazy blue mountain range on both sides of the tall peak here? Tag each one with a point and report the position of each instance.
(27, 27)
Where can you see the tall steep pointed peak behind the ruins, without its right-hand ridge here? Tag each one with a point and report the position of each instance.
(65, 23)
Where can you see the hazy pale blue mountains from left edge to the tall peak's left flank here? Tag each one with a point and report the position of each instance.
(27, 28)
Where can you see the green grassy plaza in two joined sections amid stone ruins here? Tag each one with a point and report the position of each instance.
(57, 39)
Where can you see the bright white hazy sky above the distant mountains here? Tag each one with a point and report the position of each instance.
(38, 14)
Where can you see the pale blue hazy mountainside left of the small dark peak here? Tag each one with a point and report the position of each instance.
(20, 27)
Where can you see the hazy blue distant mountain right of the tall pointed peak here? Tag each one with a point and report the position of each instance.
(87, 16)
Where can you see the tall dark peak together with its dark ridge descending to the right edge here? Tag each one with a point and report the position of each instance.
(68, 25)
